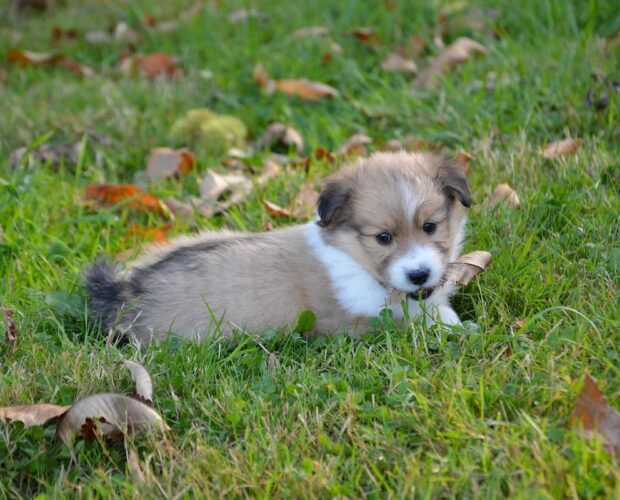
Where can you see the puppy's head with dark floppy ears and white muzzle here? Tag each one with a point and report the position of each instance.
(399, 215)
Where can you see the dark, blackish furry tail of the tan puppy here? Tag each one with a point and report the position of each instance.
(108, 293)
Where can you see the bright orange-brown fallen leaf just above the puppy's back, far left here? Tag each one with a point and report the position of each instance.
(110, 195)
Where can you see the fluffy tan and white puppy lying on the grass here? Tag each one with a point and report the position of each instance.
(386, 226)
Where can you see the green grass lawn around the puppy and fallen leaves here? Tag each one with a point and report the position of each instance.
(400, 413)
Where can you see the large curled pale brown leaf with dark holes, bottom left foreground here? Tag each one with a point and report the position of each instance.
(111, 415)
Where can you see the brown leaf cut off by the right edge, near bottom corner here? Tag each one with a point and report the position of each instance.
(594, 415)
